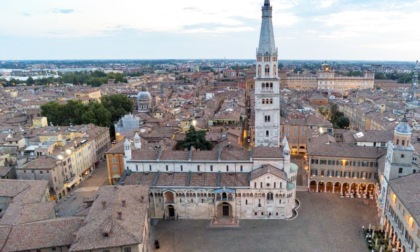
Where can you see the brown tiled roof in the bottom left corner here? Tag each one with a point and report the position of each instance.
(43, 234)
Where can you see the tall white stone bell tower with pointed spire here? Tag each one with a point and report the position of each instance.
(267, 85)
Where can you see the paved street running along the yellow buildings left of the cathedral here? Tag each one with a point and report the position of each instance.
(73, 204)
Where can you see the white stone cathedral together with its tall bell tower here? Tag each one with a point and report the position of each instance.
(229, 181)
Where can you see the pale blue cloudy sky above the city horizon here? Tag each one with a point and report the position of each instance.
(216, 29)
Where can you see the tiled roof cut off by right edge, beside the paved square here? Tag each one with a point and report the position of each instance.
(408, 192)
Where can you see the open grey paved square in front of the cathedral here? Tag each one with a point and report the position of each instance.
(325, 222)
